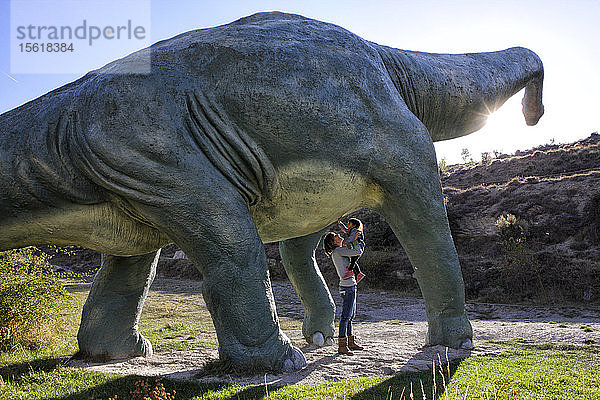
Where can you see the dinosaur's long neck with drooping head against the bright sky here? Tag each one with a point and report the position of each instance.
(452, 94)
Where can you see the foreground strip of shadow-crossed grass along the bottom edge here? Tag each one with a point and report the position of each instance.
(523, 372)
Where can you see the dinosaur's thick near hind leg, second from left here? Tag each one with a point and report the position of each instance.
(215, 230)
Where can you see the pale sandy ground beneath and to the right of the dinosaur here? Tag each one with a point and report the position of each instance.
(392, 329)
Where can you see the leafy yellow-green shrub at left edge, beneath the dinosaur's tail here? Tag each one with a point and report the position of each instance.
(31, 298)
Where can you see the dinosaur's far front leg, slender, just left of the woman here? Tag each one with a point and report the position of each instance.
(298, 256)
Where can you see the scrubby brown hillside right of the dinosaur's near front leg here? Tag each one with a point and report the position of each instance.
(554, 193)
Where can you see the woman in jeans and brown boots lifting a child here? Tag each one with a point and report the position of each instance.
(332, 244)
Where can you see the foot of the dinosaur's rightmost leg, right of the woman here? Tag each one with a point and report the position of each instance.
(455, 332)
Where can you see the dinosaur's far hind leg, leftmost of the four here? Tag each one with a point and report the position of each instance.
(111, 313)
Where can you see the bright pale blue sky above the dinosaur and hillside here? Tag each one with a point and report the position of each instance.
(563, 33)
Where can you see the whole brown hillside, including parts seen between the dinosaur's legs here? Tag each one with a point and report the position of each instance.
(548, 253)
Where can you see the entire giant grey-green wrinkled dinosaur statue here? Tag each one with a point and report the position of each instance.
(266, 129)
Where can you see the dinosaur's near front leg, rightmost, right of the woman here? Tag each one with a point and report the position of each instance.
(413, 205)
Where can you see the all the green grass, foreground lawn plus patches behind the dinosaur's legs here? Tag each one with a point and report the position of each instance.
(175, 318)
